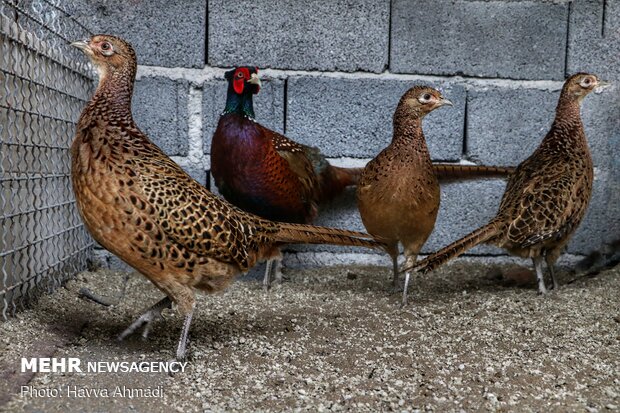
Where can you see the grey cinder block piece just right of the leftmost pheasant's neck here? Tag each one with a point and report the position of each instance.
(160, 110)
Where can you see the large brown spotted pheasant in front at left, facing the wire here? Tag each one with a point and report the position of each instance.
(139, 204)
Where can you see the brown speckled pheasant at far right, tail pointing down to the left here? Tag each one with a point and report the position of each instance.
(547, 195)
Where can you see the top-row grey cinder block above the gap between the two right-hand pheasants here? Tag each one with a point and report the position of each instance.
(507, 39)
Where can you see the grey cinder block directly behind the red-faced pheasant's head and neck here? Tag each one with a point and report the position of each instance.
(268, 106)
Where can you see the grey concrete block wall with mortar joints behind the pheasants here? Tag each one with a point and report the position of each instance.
(333, 73)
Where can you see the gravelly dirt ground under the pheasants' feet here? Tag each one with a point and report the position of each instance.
(336, 339)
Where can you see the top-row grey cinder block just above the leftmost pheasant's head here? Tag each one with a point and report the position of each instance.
(163, 33)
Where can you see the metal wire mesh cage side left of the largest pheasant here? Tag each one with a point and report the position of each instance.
(44, 84)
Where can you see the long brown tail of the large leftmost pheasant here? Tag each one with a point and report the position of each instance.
(311, 234)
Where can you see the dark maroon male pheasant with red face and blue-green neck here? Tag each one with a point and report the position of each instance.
(266, 173)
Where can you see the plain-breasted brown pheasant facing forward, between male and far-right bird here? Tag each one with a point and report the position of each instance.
(398, 191)
